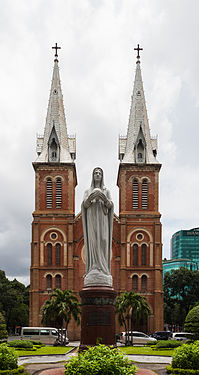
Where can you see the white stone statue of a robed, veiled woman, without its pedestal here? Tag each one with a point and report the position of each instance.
(97, 218)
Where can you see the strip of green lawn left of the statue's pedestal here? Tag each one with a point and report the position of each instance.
(46, 350)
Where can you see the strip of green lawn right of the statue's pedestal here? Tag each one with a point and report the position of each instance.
(145, 350)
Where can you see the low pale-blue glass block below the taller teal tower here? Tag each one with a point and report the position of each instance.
(175, 264)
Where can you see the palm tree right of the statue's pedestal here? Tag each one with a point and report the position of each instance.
(131, 307)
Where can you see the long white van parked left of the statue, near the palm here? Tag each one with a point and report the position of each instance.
(47, 335)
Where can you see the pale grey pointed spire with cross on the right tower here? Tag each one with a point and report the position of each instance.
(138, 146)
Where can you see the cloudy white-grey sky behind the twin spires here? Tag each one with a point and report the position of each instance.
(97, 68)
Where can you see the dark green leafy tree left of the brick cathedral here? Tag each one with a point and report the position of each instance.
(14, 300)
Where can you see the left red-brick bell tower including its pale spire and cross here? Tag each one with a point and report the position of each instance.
(53, 217)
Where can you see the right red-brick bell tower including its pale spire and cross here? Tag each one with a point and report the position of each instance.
(138, 182)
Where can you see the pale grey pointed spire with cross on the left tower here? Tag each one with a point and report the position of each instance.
(55, 145)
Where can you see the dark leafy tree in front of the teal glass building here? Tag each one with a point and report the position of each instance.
(181, 292)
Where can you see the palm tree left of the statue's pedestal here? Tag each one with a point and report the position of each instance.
(62, 306)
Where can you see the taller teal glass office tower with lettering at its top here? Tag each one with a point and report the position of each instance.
(185, 244)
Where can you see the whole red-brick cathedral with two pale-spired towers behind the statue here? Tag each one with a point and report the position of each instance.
(57, 248)
